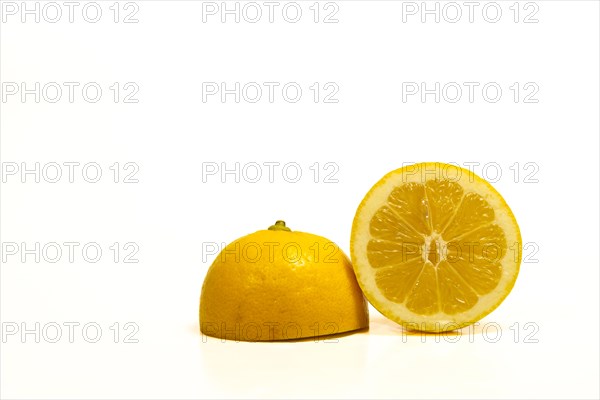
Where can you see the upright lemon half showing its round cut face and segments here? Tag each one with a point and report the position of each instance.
(435, 247)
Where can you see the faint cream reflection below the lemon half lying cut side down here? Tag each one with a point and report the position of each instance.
(263, 369)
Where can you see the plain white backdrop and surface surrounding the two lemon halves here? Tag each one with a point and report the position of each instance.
(172, 212)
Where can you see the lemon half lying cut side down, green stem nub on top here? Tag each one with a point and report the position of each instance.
(278, 284)
